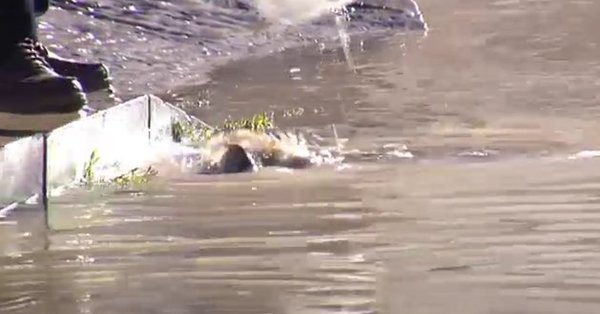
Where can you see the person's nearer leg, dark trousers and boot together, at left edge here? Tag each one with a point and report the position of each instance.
(28, 84)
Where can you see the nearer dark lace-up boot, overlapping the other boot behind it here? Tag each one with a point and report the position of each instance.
(28, 85)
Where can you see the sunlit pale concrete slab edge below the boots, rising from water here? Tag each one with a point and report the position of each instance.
(123, 137)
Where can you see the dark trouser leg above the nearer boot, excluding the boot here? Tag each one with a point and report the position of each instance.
(17, 22)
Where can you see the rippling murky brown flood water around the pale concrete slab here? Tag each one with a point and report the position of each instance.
(469, 185)
